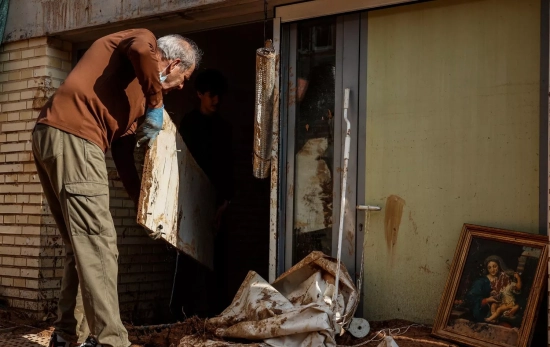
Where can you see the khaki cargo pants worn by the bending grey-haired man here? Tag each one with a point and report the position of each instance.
(73, 174)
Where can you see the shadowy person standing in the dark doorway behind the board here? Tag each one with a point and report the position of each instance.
(209, 139)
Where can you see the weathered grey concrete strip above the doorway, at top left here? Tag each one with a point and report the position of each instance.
(32, 18)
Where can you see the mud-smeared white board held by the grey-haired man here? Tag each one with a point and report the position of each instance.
(177, 201)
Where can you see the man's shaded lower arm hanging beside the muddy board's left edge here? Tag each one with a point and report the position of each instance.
(122, 150)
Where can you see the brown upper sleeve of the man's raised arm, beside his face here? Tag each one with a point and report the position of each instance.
(140, 46)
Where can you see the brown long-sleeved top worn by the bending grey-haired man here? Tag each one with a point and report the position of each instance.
(108, 89)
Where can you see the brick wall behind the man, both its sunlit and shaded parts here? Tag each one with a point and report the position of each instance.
(31, 252)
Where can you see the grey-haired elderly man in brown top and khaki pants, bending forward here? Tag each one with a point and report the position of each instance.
(120, 78)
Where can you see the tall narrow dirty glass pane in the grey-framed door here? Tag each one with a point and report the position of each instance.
(313, 176)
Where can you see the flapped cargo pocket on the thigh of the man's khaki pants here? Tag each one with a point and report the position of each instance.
(88, 209)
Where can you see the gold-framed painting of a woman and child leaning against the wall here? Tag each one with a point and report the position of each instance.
(494, 288)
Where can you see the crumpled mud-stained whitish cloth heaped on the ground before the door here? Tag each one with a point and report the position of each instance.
(296, 310)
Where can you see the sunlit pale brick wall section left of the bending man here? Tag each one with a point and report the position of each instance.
(29, 247)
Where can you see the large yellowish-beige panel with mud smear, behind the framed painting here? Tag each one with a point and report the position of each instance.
(452, 130)
